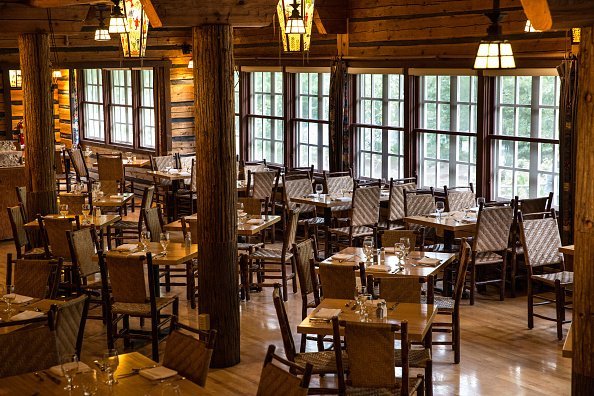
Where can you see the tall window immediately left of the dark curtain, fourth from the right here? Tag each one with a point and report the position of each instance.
(311, 123)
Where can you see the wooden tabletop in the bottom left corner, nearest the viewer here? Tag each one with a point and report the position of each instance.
(29, 384)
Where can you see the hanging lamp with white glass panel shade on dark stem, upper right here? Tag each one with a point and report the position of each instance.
(495, 53)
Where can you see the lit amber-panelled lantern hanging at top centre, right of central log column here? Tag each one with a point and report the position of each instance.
(295, 21)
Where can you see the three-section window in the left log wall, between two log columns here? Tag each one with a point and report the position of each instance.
(118, 107)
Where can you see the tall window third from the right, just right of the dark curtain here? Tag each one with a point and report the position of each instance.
(378, 131)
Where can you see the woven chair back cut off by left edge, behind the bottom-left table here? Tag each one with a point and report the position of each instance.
(27, 350)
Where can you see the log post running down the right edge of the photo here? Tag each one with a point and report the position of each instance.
(583, 293)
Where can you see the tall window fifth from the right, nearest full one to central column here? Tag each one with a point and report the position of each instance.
(266, 117)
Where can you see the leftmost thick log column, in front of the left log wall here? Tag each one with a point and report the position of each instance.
(38, 115)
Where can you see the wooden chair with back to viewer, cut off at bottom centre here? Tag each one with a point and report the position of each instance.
(370, 347)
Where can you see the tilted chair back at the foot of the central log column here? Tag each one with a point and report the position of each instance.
(188, 351)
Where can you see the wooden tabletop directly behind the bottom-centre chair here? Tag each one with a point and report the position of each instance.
(420, 317)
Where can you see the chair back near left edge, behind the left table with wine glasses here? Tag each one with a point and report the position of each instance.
(33, 278)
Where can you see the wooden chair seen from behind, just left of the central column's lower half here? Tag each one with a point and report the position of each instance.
(128, 298)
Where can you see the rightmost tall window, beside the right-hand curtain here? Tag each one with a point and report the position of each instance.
(526, 141)
